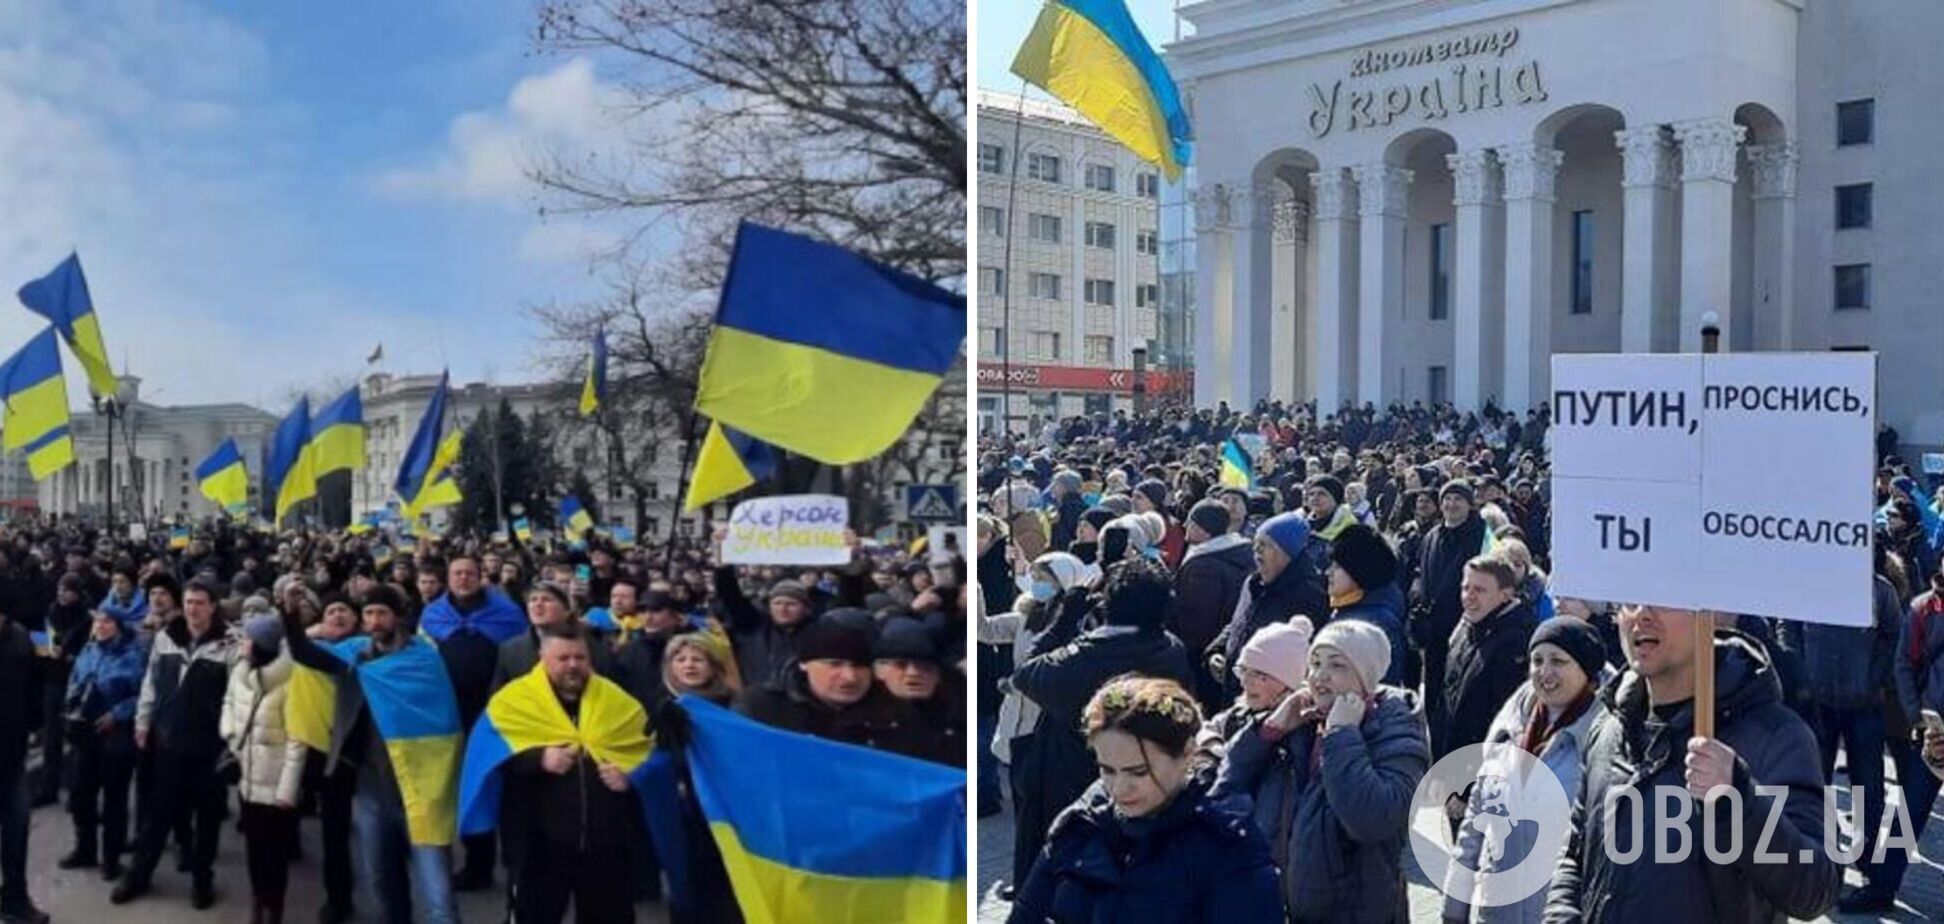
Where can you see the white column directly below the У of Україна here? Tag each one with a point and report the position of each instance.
(1336, 289)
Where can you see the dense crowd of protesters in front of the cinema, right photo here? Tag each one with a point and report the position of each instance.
(1214, 697)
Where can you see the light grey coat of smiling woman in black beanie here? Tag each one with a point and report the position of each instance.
(1562, 756)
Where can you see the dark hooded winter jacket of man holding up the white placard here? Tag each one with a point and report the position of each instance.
(1634, 750)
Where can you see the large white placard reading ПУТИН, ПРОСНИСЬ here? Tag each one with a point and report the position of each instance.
(1723, 483)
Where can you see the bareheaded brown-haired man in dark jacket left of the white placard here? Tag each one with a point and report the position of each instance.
(1488, 653)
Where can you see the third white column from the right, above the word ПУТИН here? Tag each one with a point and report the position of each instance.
(1646, 277)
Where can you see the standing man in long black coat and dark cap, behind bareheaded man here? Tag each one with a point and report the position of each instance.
(1436, 606)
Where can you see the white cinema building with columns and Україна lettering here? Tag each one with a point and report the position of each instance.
(1418, 199)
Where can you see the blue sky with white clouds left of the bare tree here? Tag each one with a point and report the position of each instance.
(265, 192)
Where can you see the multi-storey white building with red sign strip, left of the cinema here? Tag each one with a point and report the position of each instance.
(1068, 266)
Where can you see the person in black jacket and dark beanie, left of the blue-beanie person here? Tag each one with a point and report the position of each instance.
(1206, 588)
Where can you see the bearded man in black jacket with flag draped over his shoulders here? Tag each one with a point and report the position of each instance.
(569, 822)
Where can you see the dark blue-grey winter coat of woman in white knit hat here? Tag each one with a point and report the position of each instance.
(1338, 826)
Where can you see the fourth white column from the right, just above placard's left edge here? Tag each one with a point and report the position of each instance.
(1529, 271)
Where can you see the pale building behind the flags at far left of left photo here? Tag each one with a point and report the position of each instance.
(156, 456)
